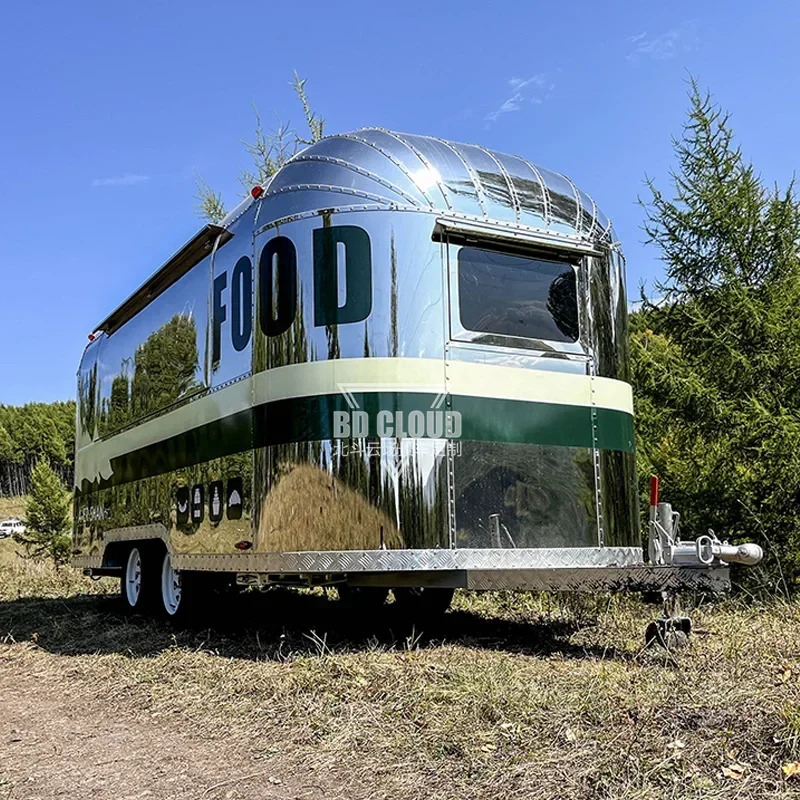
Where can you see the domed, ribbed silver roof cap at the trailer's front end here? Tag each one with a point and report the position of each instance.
(423, 172)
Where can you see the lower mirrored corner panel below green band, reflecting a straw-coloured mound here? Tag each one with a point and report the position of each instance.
(351, 494)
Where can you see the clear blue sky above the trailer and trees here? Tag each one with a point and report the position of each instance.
(108, 109)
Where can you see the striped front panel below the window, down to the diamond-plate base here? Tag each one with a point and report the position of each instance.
(523, 471)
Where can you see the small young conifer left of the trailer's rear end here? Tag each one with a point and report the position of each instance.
(48, 516)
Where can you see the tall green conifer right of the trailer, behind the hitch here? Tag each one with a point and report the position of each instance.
(717, 364)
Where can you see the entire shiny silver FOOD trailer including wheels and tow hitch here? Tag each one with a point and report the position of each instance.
(401, 363)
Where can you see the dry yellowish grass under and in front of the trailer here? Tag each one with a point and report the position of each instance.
(509, 696)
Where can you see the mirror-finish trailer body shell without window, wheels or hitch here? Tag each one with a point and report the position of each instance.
(179, 398)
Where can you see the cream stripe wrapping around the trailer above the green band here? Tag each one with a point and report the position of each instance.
(301, 382)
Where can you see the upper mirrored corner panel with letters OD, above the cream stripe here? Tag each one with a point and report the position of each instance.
(406, 311)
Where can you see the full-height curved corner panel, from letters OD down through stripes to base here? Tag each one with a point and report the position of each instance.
(313, 489)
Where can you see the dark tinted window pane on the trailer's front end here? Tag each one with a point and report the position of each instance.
(515, 295)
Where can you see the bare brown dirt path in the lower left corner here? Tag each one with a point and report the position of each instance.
(60, 741)
